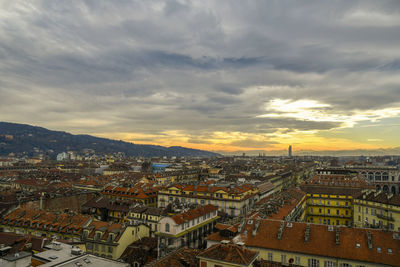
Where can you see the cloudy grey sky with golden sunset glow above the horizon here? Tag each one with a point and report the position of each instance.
(225, 76)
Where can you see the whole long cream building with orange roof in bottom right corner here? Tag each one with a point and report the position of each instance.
(281, 243)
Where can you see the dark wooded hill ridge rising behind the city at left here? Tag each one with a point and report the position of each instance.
(27, 139)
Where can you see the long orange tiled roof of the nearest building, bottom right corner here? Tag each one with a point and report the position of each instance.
(321, 241)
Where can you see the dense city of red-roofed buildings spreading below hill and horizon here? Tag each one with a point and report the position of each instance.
(222, 211)
